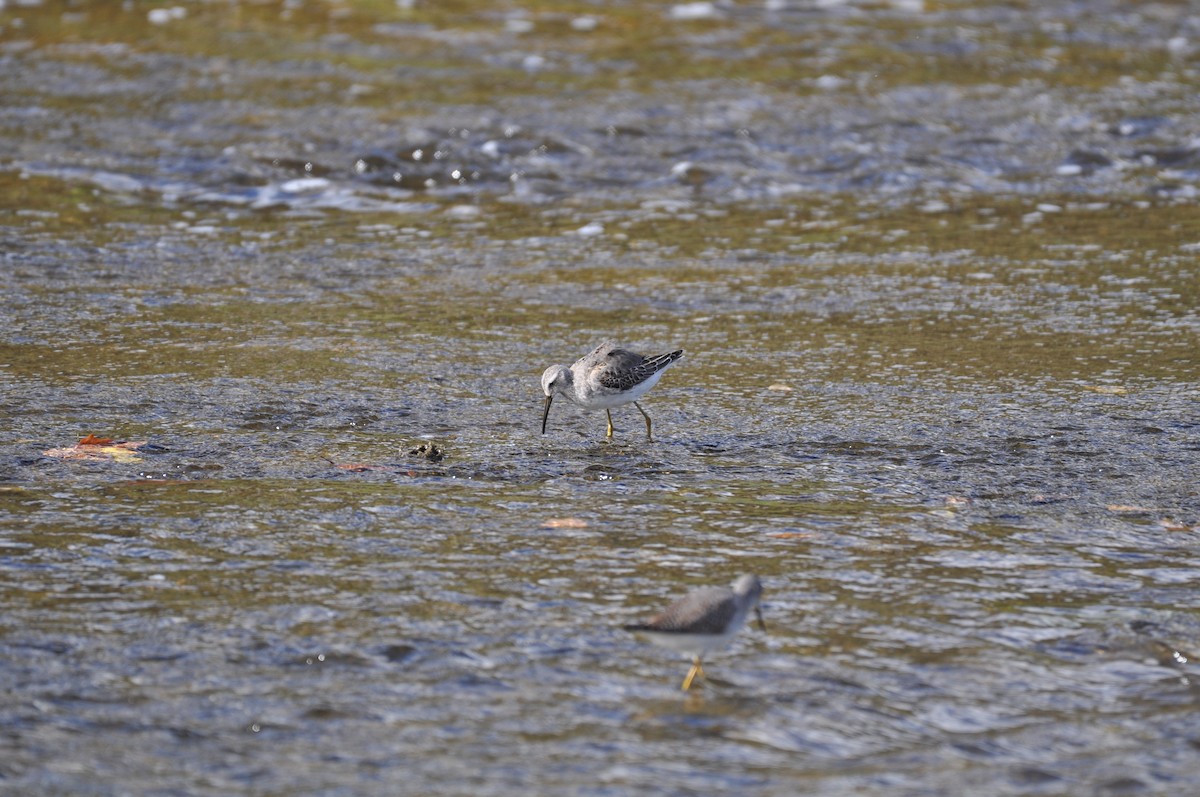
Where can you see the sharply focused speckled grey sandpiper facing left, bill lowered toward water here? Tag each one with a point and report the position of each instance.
(605, 379)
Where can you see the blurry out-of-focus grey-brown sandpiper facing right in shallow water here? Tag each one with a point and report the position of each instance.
(704, 620)
